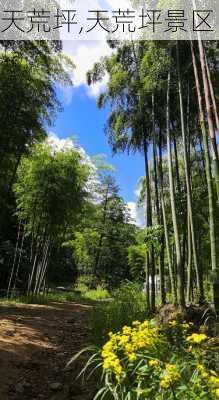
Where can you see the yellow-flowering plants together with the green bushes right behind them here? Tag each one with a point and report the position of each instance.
(165, 358)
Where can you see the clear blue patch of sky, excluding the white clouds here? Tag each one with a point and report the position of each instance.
(82, 118)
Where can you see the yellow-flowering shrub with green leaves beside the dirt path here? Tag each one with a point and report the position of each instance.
(144, 361)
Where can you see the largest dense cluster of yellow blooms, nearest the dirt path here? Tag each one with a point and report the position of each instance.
(128, 342)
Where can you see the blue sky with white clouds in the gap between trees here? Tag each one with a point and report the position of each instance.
(82, 119)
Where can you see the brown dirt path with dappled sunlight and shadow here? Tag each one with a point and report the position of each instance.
(36, 342)
